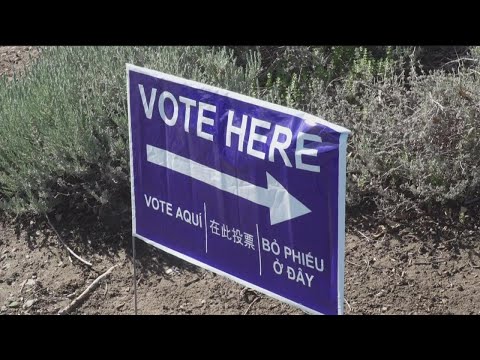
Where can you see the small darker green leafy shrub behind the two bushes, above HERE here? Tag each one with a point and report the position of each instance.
(290, 75)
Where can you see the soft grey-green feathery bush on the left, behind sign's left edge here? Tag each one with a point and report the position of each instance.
(63, 126)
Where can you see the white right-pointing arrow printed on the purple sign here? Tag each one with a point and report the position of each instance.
(282, 205)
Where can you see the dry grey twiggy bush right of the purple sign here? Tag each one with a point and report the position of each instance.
(415, 137)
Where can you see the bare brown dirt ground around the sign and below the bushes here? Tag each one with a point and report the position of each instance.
(390, 268)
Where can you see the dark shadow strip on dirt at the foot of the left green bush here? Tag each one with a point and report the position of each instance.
(92, 236)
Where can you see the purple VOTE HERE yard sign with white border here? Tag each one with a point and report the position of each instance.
(248, 189)
